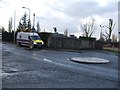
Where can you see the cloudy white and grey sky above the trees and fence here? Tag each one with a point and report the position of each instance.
(62, 14)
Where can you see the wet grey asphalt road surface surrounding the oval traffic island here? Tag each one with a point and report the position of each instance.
(40, 68)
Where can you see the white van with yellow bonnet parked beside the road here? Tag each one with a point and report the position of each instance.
(29, 39)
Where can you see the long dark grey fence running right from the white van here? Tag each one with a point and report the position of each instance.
(70, 43)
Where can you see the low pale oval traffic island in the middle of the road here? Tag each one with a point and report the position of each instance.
(91, 60)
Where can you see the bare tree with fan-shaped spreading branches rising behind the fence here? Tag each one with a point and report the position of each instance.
(88, 28)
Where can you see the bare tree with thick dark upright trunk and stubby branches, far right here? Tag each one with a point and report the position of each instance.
(110, 29)
